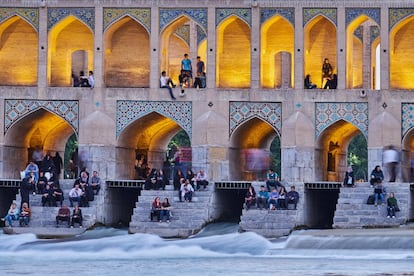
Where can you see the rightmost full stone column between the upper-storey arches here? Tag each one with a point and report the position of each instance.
(384, 51)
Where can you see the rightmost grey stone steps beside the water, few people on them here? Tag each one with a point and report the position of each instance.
(352, 210)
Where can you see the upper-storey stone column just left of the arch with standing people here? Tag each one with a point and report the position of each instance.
(155, 49)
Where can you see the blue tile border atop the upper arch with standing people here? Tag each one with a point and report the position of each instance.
(167, 16)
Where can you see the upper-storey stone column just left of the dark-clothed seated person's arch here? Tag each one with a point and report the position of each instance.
(298, 48)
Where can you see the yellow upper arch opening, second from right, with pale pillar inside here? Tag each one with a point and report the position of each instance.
(361, 57)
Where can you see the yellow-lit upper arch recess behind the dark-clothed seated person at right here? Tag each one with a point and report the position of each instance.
(320, 43)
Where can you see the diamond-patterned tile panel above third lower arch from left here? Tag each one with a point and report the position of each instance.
(241, 112)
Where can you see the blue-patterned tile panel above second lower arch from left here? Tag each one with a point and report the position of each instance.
(129, 111)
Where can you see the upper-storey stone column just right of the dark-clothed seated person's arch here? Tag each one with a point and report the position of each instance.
(341, 48)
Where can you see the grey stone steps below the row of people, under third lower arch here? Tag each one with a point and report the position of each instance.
(272, 223)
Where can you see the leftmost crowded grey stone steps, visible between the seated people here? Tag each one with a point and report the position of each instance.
(46, 216)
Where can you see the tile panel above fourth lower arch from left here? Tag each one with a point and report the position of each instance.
(327, 114)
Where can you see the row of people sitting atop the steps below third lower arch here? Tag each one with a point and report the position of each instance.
(274, 200)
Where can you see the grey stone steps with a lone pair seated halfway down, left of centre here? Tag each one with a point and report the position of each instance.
(188, 217)
